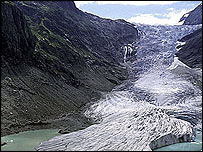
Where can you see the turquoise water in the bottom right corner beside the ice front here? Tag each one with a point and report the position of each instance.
(187, 146)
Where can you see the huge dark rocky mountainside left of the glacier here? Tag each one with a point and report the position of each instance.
(55, 60)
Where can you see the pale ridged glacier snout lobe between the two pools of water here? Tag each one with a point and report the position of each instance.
(131, 130)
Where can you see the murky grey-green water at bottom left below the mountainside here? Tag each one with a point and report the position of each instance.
(26, 141)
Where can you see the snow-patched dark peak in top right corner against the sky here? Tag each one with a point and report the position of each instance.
(193, 17)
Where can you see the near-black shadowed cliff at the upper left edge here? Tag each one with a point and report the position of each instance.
(18, 41)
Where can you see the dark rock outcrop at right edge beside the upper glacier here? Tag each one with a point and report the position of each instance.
(191, 52)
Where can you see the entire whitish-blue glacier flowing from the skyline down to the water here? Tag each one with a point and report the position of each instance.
(155, 107)
